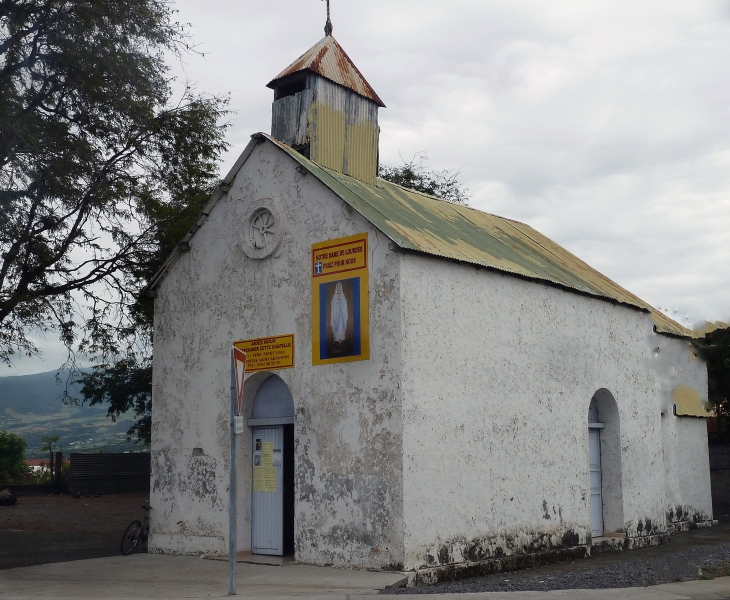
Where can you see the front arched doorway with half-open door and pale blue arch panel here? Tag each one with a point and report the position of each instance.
(272, 502)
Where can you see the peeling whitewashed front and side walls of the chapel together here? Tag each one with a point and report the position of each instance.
(463, 438)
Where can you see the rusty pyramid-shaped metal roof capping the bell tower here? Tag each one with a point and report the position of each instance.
(328, 59)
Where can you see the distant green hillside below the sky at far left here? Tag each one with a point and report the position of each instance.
(31, 406)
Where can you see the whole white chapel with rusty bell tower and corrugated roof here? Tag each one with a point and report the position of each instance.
(429, 388)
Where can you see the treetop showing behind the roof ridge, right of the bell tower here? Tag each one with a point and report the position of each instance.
(416, 176)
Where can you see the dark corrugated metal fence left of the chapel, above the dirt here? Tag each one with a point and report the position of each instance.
(109, 473)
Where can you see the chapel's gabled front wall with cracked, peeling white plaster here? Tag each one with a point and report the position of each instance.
(348, 495)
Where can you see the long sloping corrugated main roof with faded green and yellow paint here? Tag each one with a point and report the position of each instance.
(419, 222)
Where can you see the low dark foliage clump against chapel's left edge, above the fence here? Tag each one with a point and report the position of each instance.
(125, 385)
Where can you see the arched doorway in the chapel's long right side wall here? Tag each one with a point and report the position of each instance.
(604, 462)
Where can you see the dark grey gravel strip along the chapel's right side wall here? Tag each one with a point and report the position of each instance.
(619, 574)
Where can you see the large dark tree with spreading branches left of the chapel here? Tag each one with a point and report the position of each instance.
(101, 163)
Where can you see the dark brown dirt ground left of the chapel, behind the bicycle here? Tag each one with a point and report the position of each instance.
(45, 529)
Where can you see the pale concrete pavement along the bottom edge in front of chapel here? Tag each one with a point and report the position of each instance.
(145, 576)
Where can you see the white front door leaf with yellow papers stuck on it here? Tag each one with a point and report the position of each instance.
(267, 510)
